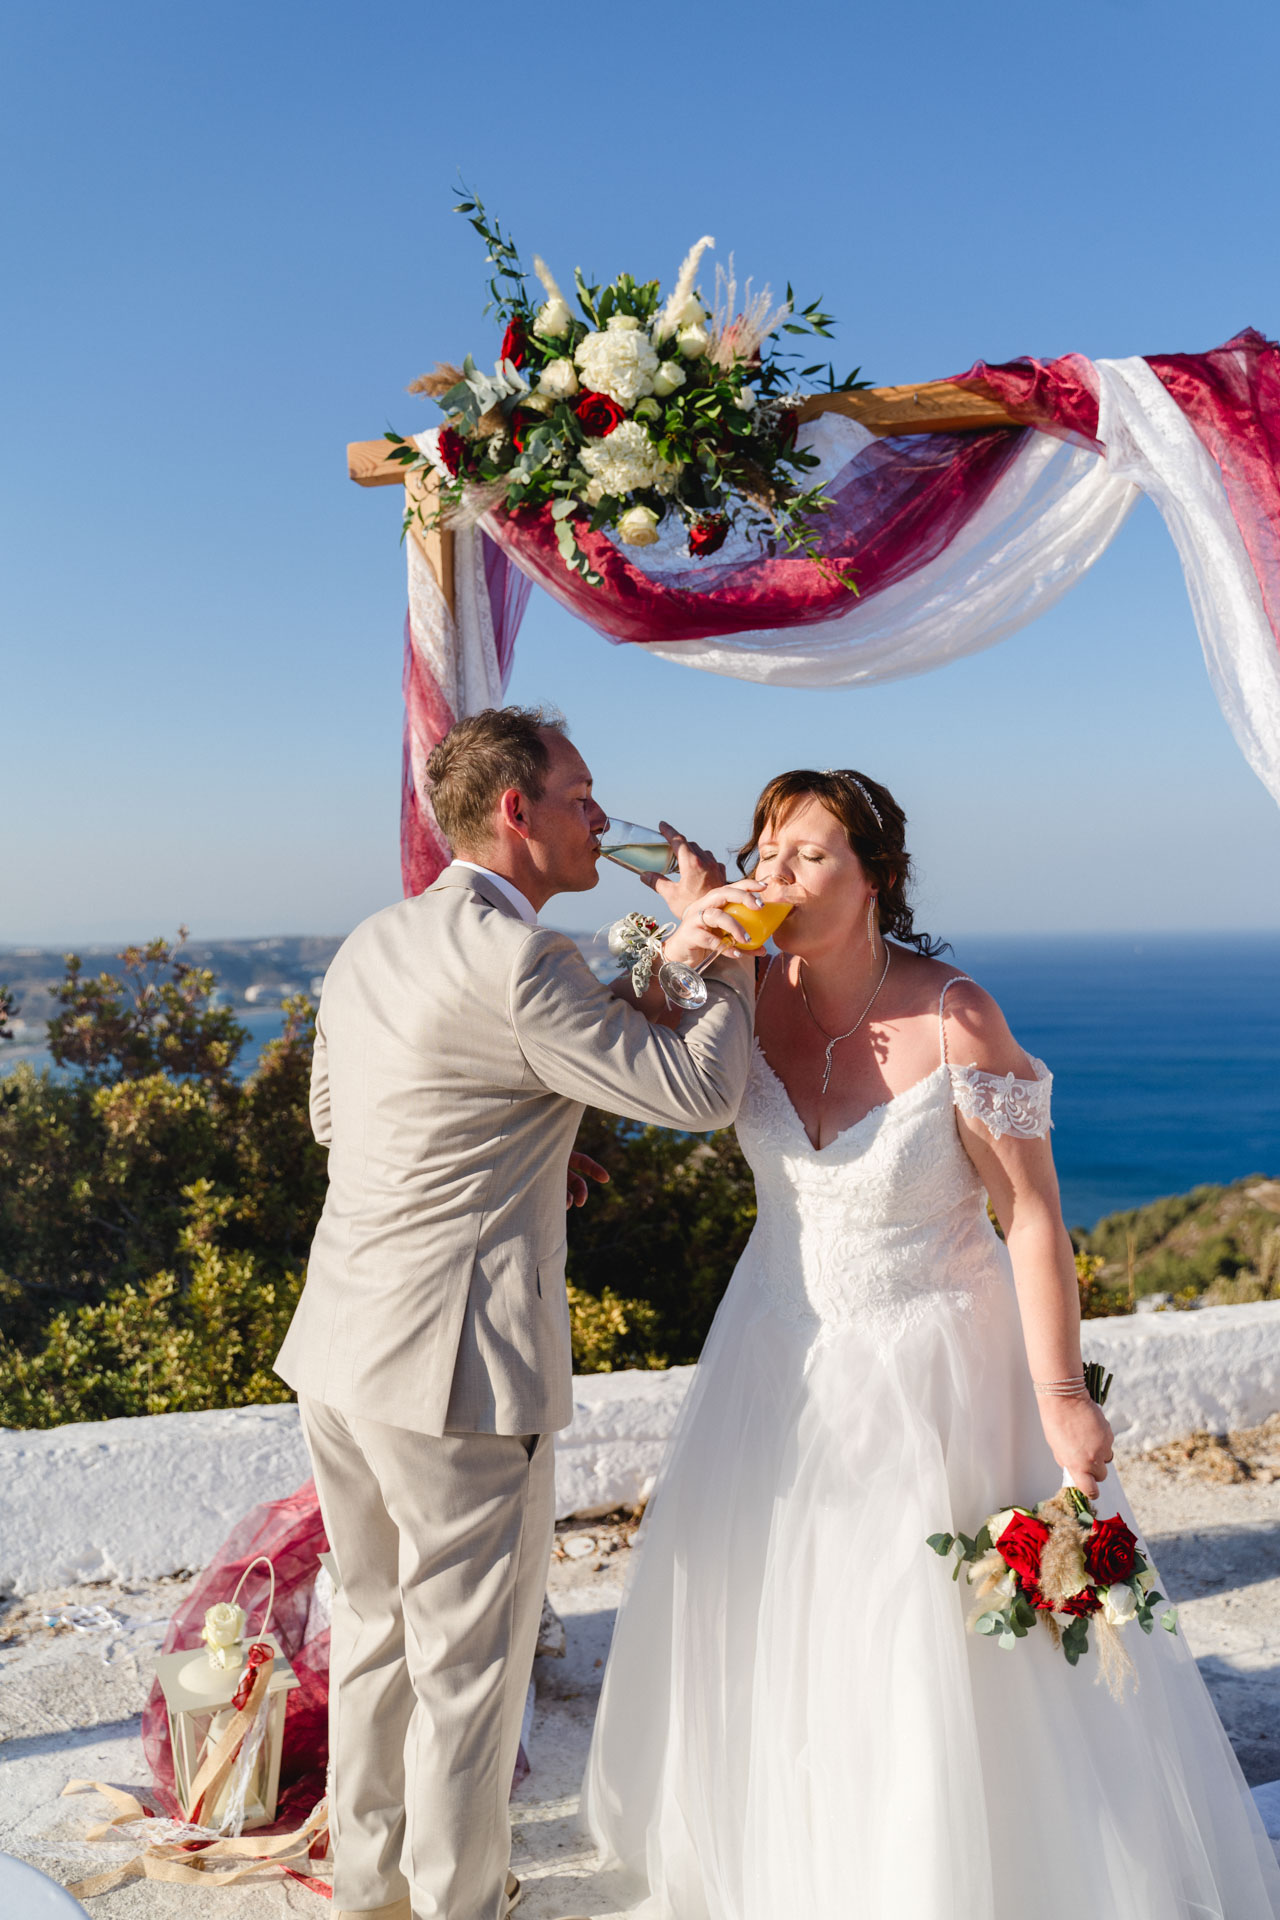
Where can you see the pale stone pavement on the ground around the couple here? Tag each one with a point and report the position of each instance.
(70, 1698)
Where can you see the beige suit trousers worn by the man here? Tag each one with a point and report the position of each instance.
(442, 1548)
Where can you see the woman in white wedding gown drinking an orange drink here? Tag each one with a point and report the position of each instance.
(795, 1721)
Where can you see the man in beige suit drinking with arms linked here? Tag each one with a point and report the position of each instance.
(458, 1045)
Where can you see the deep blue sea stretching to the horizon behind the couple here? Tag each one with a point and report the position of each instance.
(1166, 1055)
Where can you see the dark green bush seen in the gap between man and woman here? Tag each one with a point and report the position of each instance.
(667, 1232)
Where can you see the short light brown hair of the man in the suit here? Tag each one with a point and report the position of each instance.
(481, 759)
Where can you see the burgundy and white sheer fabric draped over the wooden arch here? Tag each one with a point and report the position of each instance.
(901, 506)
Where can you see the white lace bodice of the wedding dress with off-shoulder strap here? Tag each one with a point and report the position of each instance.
(886, 1224)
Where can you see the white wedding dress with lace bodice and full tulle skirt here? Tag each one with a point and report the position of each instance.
(795, 1723)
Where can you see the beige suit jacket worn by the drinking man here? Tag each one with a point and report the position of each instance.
(456, 1053)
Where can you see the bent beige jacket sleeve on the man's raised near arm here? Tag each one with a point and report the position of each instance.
(588, 1045)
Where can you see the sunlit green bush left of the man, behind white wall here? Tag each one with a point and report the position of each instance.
(154, 1212)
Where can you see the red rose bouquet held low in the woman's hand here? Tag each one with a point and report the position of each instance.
(1060, 1568)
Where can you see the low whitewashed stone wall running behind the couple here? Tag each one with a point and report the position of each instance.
(151, 1497)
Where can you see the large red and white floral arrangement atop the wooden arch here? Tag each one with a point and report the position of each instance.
(627, 412)
